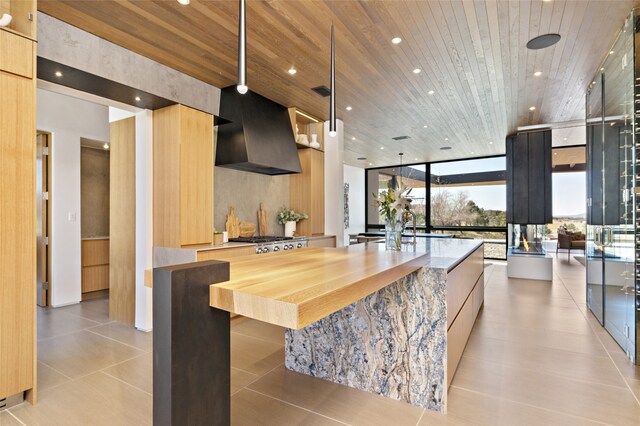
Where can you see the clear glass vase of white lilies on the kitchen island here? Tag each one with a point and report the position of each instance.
(395, 207)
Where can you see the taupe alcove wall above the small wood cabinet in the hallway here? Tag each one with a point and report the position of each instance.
(94, 192)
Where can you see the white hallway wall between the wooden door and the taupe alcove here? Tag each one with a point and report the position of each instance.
(68, 120)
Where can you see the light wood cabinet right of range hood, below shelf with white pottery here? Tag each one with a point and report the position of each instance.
(307, 192)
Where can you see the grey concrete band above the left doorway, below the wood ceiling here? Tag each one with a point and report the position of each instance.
(68, 45)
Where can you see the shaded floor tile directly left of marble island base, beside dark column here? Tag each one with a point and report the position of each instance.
(256, 356)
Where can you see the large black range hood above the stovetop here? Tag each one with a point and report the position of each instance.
(259, 138)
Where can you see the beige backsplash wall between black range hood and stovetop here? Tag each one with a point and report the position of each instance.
(245, 191)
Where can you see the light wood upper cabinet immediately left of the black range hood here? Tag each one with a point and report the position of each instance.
(183, 157)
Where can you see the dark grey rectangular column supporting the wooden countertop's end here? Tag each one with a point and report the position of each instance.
(191, 347)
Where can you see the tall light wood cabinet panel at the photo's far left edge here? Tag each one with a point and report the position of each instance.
(17, 216)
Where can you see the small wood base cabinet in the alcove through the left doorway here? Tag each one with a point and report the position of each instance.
(95, 265)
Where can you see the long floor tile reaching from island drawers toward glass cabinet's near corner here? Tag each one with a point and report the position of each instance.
(598, 369)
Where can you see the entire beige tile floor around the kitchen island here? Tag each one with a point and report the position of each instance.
(535, 357)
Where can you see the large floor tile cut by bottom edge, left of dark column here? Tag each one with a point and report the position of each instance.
(96, 400)
